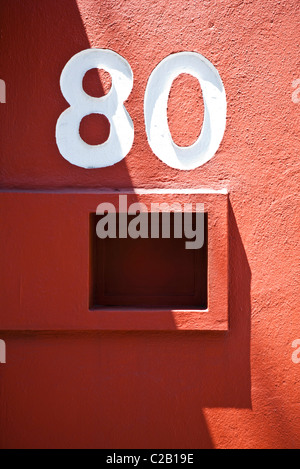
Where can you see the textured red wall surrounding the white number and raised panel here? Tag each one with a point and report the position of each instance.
(174, 389)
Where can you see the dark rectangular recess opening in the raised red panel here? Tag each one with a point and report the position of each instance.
(148, 273)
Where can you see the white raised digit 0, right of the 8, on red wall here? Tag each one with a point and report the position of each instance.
(156, 105)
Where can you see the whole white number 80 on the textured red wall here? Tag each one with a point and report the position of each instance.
(121, 137)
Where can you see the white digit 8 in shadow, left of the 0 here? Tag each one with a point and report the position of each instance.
(121, 137)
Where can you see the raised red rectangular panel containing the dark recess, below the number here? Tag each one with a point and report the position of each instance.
(152, 284)
